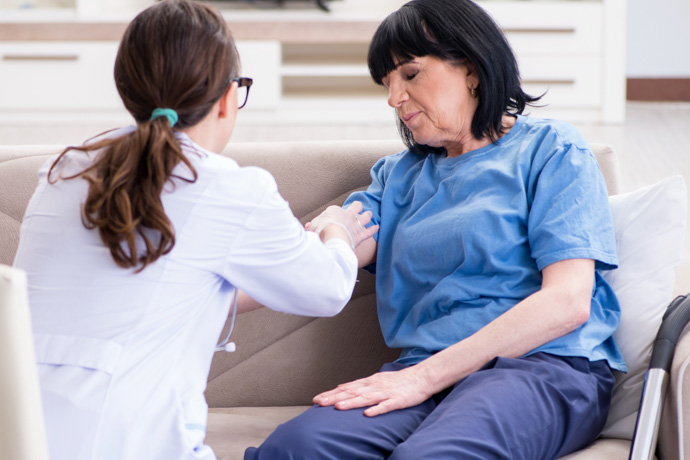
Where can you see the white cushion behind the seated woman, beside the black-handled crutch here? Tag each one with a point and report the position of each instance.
(650, 229)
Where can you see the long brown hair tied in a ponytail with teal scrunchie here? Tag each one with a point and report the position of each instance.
(176, 54)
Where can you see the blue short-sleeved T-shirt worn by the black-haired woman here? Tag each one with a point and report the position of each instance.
(464, 239)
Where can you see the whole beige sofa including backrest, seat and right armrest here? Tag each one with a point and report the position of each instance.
(283, 360)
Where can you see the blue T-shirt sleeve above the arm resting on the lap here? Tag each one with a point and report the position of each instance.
(570, 217)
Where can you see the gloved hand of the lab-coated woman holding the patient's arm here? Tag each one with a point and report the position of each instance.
(351, 219)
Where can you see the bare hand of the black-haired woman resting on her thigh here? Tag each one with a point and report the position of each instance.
(384, 391)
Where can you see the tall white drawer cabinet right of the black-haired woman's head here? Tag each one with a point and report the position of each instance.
(572, 50)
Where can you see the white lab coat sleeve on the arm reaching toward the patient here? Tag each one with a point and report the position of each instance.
(285, 268)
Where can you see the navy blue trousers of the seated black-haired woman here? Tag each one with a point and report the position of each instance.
(539, 407)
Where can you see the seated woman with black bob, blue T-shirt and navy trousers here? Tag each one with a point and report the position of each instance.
(493, 229)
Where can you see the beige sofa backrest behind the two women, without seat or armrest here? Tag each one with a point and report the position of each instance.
(280, 359)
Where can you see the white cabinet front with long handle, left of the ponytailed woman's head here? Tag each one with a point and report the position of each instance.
(63, 76)
